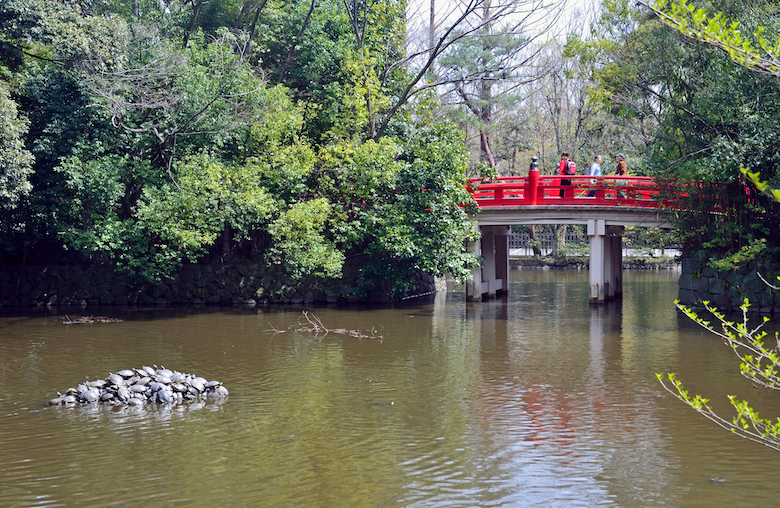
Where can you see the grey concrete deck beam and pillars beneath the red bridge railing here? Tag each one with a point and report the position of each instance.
(605, 236)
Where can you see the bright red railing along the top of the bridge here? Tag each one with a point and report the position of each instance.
(634, 191)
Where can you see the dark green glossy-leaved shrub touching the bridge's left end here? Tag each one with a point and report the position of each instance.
(424, 227)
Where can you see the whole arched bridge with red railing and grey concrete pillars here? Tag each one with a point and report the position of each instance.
(606, 204)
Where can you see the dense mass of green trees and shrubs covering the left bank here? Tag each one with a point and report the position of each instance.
(154, 138)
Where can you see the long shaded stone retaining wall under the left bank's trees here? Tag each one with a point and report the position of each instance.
(231, 283)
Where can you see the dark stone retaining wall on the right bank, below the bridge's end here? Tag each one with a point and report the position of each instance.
(727, 290)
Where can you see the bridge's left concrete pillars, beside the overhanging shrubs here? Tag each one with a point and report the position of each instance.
(492, 276)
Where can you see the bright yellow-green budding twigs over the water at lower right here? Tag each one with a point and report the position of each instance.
(758, 362)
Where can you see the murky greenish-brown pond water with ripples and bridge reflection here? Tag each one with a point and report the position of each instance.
(537, 399)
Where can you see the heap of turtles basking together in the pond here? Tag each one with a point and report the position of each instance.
(138, 386)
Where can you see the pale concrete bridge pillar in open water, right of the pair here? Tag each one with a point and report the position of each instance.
(606, 273)
